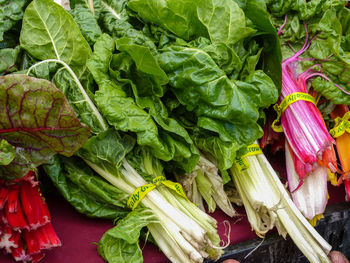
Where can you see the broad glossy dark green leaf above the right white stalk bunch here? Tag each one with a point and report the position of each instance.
(227, 108)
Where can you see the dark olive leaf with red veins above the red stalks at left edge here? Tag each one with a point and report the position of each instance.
(36, 118)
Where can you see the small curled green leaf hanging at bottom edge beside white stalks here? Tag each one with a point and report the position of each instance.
(121, 243)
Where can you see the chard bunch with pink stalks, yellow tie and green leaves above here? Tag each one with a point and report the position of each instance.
(321, 66)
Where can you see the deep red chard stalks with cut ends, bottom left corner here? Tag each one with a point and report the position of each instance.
(25, 222)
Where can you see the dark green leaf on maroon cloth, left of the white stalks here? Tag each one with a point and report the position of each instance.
(88, 193)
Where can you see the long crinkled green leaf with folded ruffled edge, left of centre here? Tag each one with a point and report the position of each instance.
(167, 141)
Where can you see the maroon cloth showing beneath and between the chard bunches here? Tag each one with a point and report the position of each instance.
(78, 233)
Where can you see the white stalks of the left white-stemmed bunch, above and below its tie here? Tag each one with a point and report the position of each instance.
(184, 233)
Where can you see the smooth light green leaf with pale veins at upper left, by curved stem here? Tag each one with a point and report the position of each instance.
(55, 35)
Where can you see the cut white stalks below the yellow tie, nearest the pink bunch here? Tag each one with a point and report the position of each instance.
(268, 204)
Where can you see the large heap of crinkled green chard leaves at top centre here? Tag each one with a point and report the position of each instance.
(201, 86)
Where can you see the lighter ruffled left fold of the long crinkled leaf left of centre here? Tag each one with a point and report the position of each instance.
(120, 110)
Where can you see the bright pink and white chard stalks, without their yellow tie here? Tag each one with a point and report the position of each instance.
(309, 146)
